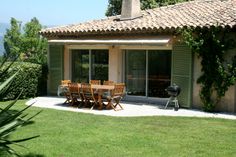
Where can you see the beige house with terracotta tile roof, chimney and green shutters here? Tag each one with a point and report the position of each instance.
(140, 48)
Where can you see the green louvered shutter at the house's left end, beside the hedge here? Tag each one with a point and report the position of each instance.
(56, 65)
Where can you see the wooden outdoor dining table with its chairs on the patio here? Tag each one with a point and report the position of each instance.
(93, 94)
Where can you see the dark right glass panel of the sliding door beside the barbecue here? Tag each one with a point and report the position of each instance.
(159, 72)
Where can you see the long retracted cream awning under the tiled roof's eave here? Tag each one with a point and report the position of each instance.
(158, 41)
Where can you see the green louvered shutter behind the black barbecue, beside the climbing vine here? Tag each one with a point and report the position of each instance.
(182, 73)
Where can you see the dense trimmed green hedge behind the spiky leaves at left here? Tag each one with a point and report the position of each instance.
(27, 80)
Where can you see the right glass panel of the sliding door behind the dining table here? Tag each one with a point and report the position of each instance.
(99, 65)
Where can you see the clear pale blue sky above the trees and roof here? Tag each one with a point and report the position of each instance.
(53, 12)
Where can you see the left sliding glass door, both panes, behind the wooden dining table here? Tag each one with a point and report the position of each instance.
(89, 64)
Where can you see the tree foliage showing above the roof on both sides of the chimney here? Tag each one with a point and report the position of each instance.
(114, 6)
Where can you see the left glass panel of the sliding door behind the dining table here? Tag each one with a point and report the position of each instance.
(80, 65)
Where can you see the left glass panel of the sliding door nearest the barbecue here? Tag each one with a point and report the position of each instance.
(135, 72)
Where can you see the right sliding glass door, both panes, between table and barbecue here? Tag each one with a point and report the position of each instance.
(147, 72)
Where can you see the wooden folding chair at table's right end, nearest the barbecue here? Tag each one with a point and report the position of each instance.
(116, 95)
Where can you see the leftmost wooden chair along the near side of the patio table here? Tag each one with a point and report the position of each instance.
(74, 91)
